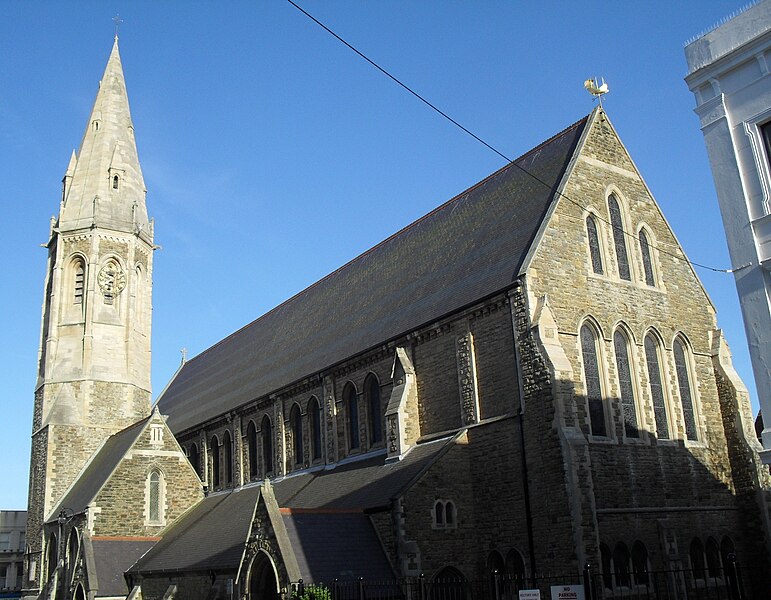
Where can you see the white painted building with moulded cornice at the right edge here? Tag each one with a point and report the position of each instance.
(728, 72)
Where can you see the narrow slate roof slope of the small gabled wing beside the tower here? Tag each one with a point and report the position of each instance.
(96, 473)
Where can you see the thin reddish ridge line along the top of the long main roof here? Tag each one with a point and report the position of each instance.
(388, 239)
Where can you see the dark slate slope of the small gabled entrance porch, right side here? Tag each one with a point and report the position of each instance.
(337, 546)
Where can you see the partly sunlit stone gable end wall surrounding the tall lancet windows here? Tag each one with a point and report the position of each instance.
(652, 478)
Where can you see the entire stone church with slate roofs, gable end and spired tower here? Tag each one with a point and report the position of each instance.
(527, 379)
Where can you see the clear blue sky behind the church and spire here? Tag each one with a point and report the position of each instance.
(273, 155)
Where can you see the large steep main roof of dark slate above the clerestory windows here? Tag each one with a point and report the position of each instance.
(469, 248)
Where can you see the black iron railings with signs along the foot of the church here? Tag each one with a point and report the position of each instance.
(735, 582)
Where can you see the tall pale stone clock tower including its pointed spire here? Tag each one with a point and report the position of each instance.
(94, 361)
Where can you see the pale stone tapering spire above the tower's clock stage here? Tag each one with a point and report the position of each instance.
(106, 188)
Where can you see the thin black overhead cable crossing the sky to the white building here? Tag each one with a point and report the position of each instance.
(491, 147)
